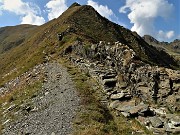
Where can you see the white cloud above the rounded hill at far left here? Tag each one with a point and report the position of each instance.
(29, 12)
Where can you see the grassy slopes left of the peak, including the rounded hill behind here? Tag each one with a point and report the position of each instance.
(29, 53)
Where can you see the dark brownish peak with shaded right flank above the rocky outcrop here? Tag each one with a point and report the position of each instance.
(89, 26)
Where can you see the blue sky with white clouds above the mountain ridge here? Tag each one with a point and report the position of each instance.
(159, 18)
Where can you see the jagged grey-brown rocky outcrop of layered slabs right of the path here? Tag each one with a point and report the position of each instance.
(132, 87)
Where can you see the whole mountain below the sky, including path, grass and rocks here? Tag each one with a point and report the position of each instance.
(83, 74)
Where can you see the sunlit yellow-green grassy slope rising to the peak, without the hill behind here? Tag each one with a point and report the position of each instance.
(30, 52)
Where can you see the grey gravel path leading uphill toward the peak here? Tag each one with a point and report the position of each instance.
(55, 107)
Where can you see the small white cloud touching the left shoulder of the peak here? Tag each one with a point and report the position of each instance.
(55, 8)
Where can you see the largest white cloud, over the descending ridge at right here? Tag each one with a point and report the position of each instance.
(142, 13)
